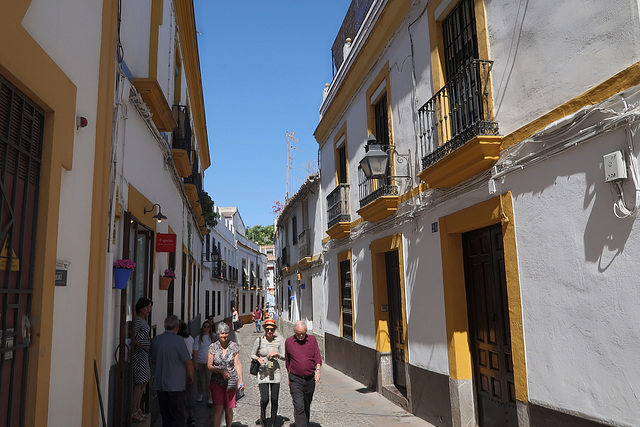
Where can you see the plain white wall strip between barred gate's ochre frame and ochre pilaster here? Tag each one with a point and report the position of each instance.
(55, 27)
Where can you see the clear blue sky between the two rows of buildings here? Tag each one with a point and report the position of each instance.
(264, 65)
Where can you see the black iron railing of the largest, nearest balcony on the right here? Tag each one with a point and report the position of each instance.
(457, 113)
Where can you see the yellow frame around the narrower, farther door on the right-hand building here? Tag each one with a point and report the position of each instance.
(379, 279)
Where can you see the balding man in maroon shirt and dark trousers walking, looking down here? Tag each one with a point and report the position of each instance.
(302, 356)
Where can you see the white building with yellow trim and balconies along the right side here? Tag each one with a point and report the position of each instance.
(485, 276)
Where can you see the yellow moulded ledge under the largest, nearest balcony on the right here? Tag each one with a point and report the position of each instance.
(476, 156)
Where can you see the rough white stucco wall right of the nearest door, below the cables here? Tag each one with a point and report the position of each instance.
(578, 275)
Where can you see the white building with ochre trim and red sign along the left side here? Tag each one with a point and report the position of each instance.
(105, 98)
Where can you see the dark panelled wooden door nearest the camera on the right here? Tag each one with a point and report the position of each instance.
(489, 327)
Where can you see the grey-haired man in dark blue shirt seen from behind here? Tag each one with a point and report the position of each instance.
(174, 370)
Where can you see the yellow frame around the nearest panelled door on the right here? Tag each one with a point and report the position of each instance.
(490, 212)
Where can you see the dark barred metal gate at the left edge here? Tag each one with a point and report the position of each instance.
(21, 127)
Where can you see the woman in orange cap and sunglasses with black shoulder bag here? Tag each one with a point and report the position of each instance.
(268, 350)
